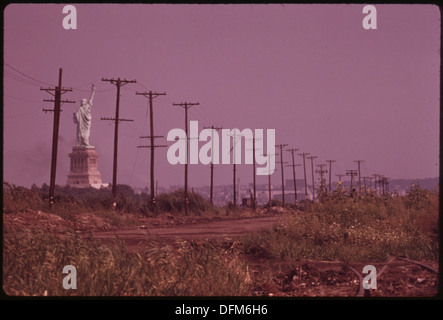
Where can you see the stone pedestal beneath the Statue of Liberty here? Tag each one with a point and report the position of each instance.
(84, 168)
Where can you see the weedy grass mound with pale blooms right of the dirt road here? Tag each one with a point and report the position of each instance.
(356, 231)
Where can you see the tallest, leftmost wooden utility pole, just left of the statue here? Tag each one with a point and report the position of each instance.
(58, 91)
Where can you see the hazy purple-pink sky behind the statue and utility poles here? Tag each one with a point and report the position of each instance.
(311, 72)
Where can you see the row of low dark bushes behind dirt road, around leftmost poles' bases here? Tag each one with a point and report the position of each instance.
(70, 201)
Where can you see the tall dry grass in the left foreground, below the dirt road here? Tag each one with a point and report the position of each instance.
(33, 265)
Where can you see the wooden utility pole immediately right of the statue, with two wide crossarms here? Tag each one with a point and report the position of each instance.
(119, 83)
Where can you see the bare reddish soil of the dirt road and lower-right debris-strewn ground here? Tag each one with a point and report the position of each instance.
(271, 277)
